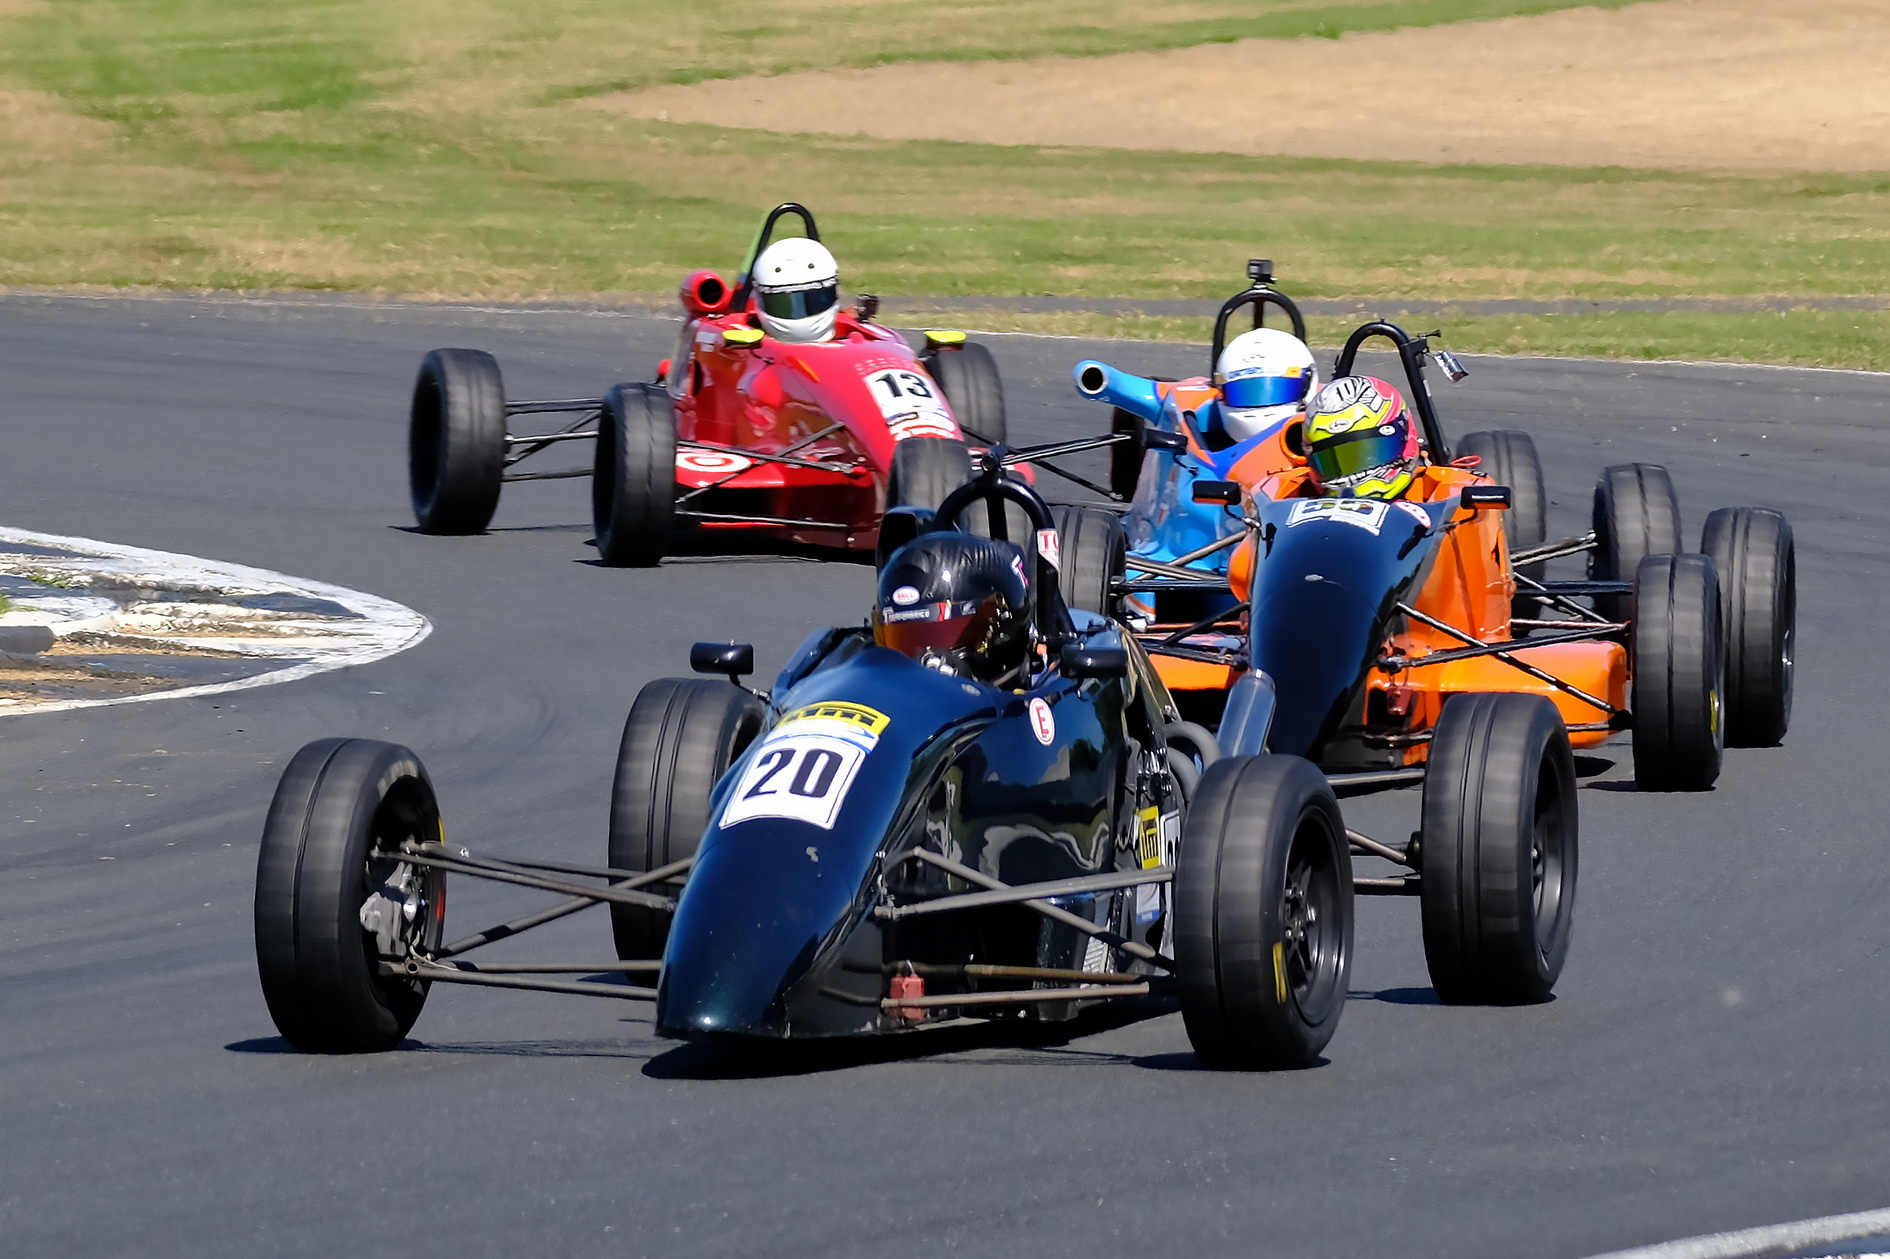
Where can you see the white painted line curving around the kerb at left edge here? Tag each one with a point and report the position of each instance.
(385, 627)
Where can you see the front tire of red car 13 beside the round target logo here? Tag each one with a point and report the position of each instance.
(634, 481)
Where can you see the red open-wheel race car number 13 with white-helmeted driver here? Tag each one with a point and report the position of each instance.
(782, 415)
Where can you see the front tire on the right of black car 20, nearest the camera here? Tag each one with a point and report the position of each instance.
(1263, 914)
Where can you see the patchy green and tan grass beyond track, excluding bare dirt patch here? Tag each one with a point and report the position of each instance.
(445, 150)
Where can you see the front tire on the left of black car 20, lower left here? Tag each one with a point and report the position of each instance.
(332, 905)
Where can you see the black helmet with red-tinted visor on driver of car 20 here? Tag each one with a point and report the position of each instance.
(955, 600)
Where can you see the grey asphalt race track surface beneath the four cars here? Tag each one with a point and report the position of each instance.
(1713, 1058)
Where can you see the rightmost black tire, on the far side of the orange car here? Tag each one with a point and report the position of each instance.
(1753, 551)
